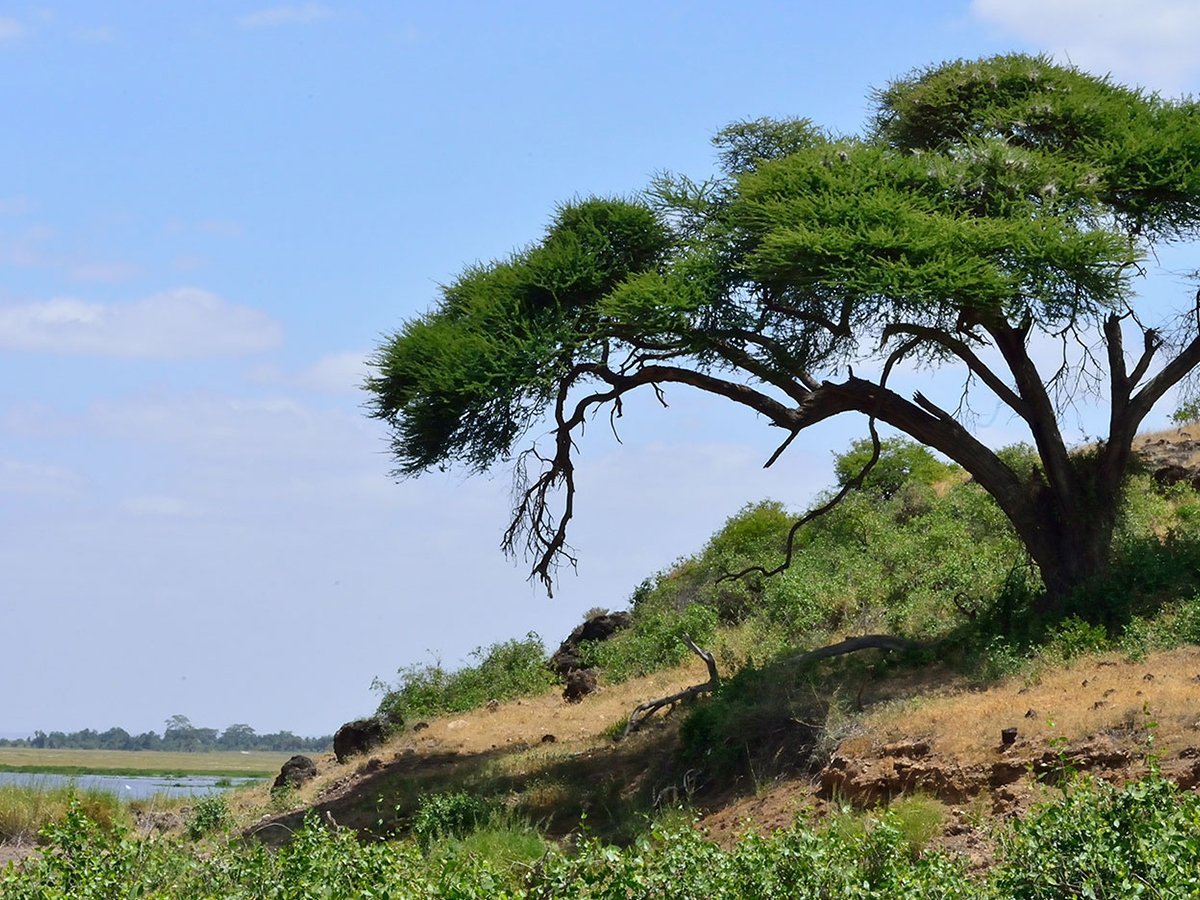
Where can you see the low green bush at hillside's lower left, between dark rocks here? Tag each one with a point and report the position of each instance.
(503, 671)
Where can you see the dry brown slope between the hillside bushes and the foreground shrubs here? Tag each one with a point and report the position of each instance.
(881, 729)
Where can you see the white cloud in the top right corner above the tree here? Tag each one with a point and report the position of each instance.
(1147, 43)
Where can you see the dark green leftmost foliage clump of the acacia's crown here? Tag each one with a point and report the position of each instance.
(465, 382)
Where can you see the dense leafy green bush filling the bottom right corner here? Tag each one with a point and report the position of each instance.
(1100, 842)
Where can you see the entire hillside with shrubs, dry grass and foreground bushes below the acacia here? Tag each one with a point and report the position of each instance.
(976, 752)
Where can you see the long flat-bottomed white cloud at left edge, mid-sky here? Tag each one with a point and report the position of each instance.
(187, 323)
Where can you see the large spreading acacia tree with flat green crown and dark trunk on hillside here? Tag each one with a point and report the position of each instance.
(988, 203)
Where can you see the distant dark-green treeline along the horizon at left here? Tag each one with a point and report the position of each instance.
(178, 735)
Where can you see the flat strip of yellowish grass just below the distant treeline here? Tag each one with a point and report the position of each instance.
(135, 763)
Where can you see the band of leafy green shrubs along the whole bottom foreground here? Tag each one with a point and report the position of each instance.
(1094, 841)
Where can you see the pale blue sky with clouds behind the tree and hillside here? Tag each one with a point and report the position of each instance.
(212, 213)
